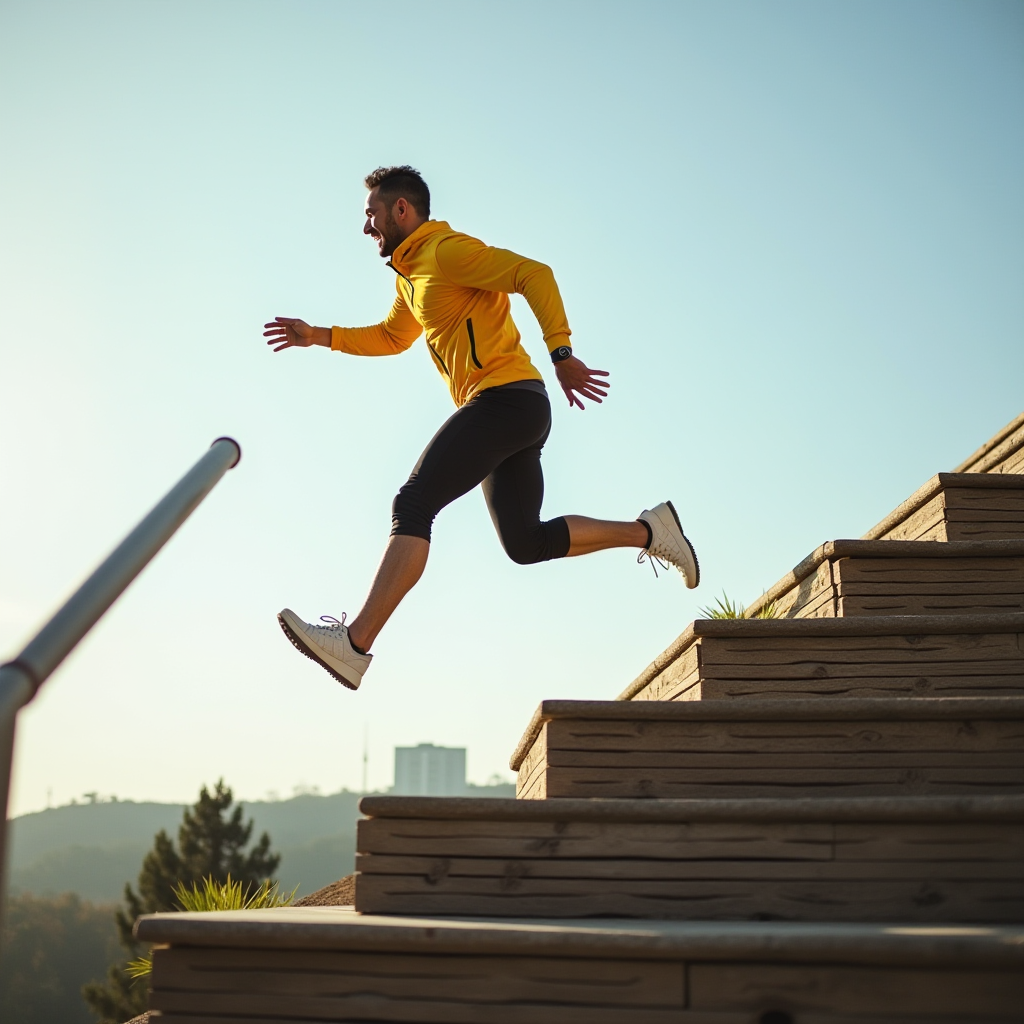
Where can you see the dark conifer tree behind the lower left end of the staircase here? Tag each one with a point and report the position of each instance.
(211, 844)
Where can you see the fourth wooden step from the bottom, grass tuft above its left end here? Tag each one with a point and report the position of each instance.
(867, 657)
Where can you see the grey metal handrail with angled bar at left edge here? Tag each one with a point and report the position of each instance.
(22, 677)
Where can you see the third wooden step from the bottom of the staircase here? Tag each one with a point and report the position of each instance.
(724, 749)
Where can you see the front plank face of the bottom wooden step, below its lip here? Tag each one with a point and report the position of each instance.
(253, 987)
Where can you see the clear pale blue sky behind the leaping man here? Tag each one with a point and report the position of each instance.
(794, 232)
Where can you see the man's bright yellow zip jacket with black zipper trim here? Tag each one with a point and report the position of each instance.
(457, 290)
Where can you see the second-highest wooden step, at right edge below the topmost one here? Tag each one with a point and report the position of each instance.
(959, 507)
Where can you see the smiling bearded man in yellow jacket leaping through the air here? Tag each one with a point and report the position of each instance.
(456, 290)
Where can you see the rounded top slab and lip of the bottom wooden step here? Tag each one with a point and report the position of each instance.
(997, 947)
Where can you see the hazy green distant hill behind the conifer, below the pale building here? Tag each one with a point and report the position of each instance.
(94, 849)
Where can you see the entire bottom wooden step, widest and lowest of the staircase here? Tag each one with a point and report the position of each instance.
(329, 964)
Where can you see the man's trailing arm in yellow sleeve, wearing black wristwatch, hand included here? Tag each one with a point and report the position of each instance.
(470, 263)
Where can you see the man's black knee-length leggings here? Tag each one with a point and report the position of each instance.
(494, 440)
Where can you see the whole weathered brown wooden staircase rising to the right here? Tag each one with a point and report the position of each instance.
(812, 820)
